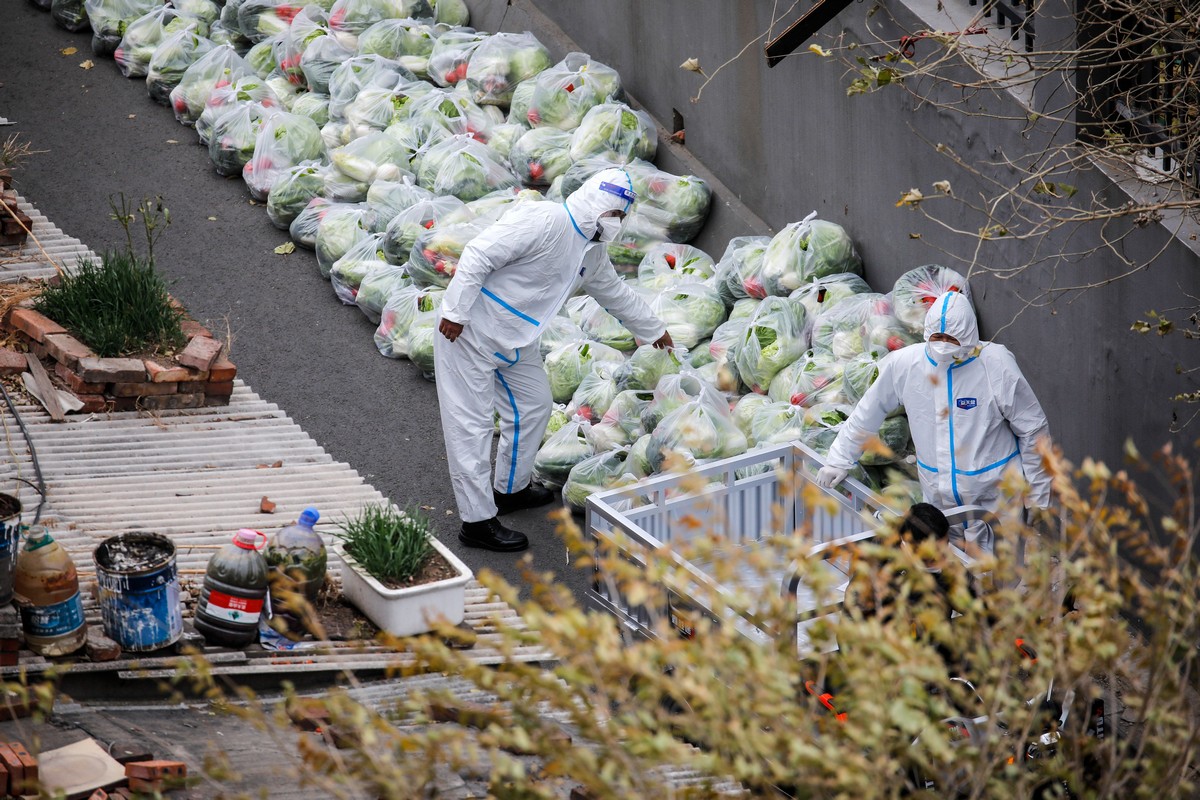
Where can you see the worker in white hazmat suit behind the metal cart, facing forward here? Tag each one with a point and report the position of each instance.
(973, 414)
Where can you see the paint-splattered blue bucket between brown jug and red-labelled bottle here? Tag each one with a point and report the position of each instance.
(140, 591)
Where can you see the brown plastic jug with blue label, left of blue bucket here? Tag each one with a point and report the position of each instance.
(47, 591)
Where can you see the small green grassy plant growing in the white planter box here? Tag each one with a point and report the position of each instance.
(389, 544)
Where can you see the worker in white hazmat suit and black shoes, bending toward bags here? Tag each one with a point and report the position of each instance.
(511, 282)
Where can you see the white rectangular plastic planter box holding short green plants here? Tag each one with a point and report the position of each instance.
(406, 612)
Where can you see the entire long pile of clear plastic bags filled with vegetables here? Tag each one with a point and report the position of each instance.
(386, 135)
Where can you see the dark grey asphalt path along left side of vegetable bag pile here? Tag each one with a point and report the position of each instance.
(292, 340)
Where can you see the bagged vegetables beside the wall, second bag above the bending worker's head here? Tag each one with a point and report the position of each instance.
(567, 92)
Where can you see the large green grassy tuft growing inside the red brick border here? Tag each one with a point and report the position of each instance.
(117, 308)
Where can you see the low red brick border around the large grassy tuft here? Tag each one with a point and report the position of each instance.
(200, 375)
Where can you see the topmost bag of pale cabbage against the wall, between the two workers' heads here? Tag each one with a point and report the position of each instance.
(802, 251)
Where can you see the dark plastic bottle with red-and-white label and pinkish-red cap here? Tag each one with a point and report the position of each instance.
(235, 590)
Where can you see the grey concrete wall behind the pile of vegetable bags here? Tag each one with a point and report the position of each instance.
(788, 141)
